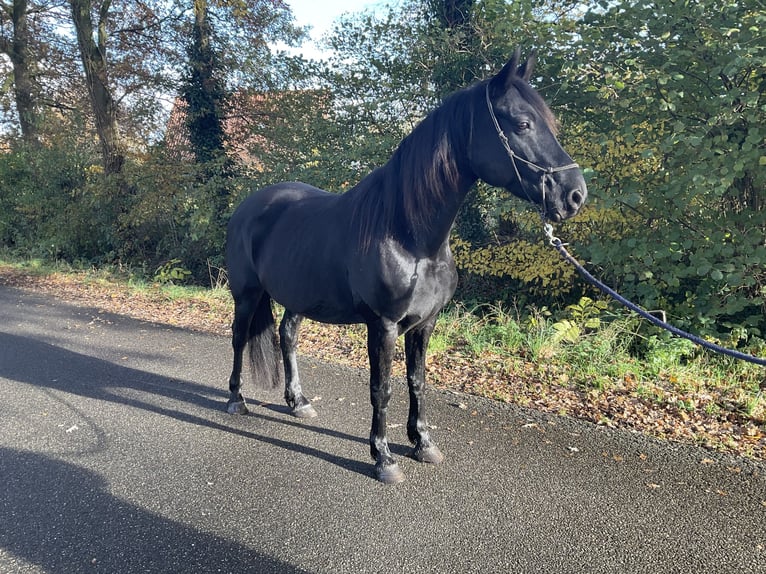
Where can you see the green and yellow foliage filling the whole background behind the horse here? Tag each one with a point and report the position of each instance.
(661, 103)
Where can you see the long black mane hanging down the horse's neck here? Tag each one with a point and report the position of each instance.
(399, 197)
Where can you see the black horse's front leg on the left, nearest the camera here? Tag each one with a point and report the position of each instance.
(381, 341)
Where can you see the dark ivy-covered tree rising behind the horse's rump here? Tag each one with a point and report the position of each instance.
(211, 89)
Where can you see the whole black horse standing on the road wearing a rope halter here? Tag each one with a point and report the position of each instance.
(379, 253)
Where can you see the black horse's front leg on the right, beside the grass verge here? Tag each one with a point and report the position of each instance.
(415, 346)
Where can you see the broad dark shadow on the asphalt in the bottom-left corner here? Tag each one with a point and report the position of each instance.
(100, 532)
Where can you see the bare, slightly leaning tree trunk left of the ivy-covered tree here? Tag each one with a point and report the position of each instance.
(94, 60)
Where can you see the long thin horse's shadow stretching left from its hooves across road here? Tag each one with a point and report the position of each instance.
(44, 365)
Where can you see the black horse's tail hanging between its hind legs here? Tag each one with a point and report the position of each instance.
(265, 361)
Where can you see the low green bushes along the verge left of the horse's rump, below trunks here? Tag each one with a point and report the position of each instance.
(55, 202)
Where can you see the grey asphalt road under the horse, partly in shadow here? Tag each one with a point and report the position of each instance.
(116, 456)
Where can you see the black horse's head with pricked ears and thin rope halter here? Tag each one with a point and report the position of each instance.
(514, 146)
